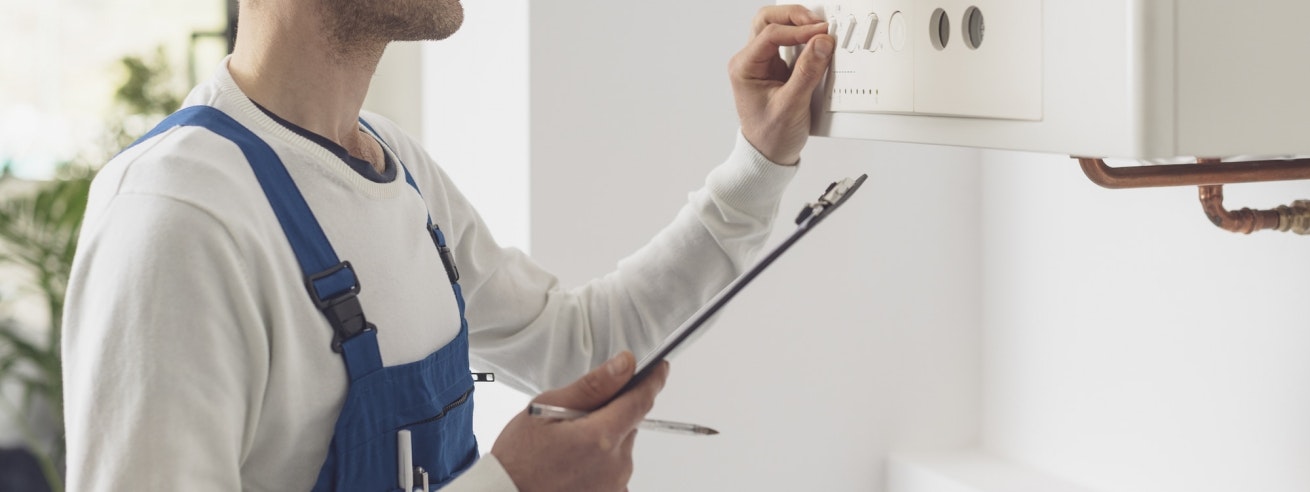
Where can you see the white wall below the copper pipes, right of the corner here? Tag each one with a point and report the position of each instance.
(1131, 346)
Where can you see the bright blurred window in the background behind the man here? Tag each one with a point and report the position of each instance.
(62, 69)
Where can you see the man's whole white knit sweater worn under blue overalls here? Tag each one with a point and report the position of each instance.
(195, 360)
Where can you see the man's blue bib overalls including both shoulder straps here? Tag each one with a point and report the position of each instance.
(433, 398)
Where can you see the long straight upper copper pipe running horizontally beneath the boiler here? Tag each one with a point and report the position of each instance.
(1191, 175)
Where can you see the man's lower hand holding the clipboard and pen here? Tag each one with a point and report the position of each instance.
(594, 453)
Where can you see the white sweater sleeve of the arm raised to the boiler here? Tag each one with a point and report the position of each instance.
(539, 336)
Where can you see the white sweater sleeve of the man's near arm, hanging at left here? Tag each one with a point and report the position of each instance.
(154, 397)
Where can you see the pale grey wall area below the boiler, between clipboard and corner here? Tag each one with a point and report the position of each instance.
(861, 342)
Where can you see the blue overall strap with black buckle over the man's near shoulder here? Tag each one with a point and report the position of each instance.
(332, 283)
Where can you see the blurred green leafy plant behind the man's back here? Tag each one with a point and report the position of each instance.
(39, 235)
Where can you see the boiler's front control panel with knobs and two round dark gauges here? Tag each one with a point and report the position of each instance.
(946, 58)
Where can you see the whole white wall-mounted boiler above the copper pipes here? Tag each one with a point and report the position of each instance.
(1127, 79)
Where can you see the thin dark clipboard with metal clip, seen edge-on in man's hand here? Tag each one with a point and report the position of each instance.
(810, 217)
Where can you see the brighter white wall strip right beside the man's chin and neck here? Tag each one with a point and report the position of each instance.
(476, 113)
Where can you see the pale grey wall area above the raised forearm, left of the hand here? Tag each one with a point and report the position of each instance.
(624, 99)
